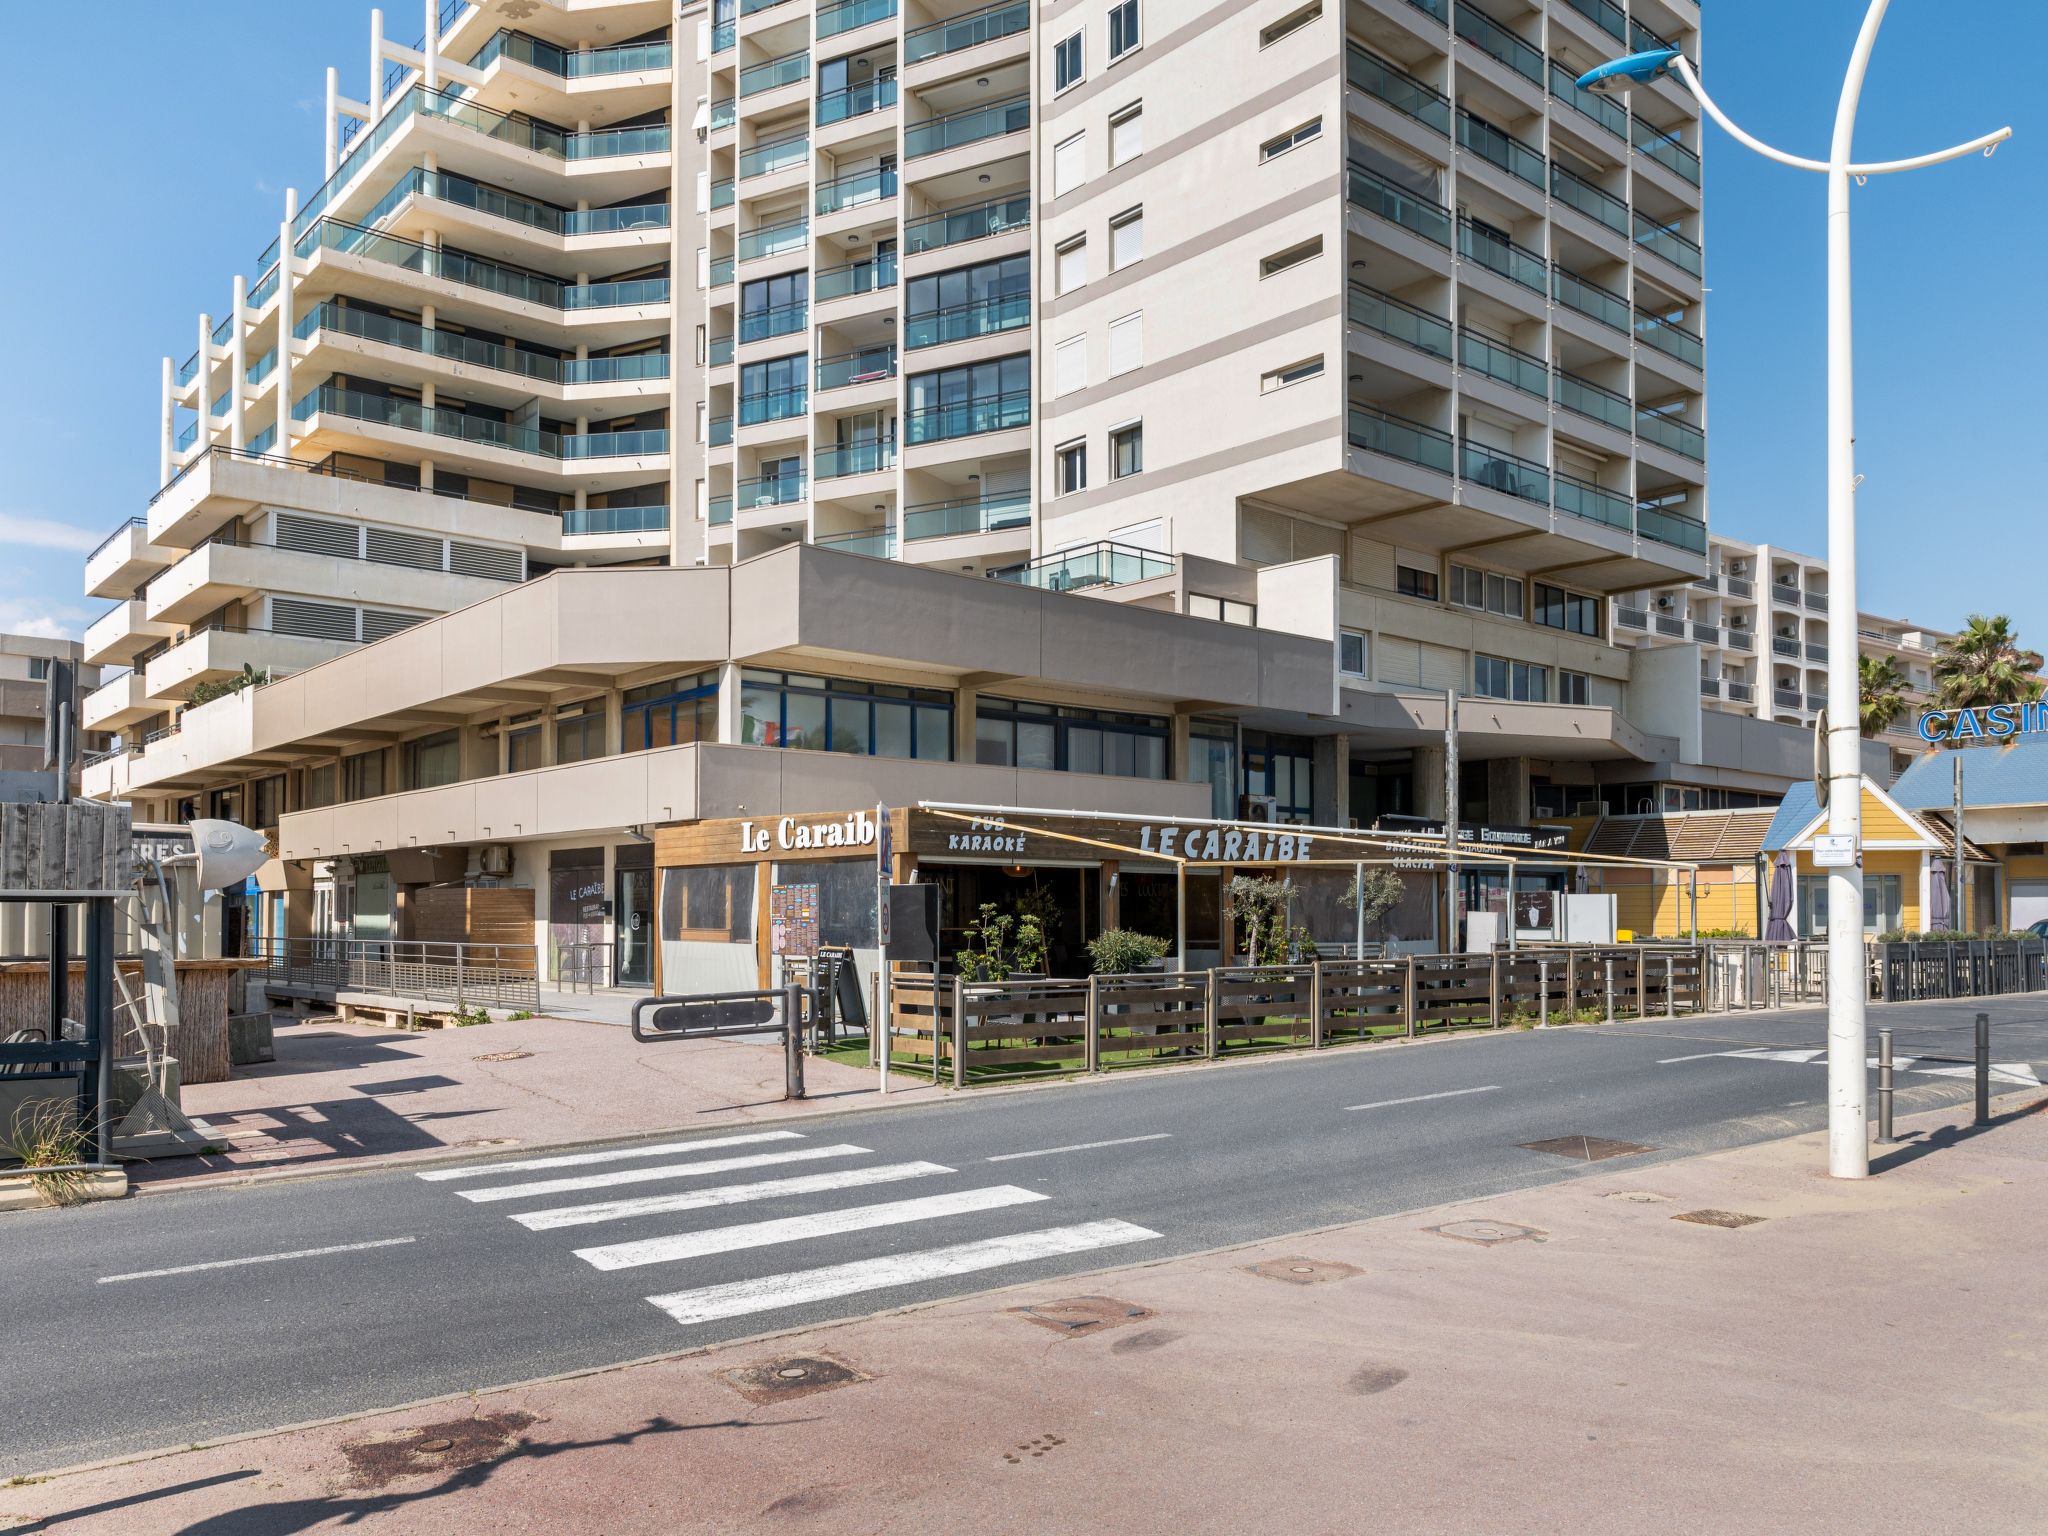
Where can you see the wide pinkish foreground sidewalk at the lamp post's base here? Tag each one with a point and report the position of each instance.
(1863, 1357)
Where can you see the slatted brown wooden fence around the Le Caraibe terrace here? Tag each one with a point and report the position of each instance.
(980, 1033)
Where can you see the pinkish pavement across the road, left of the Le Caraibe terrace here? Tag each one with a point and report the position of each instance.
(353, 1093)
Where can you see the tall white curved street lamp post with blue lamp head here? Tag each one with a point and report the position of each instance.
(1848, 1127)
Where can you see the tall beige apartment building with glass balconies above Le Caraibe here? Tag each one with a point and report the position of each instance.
(1132, 409)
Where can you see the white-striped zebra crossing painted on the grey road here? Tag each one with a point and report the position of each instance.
(765, 1156)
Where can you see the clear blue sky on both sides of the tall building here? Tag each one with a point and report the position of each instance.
(126, 230)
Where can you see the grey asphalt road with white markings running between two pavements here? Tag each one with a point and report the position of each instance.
(118, 1345)
